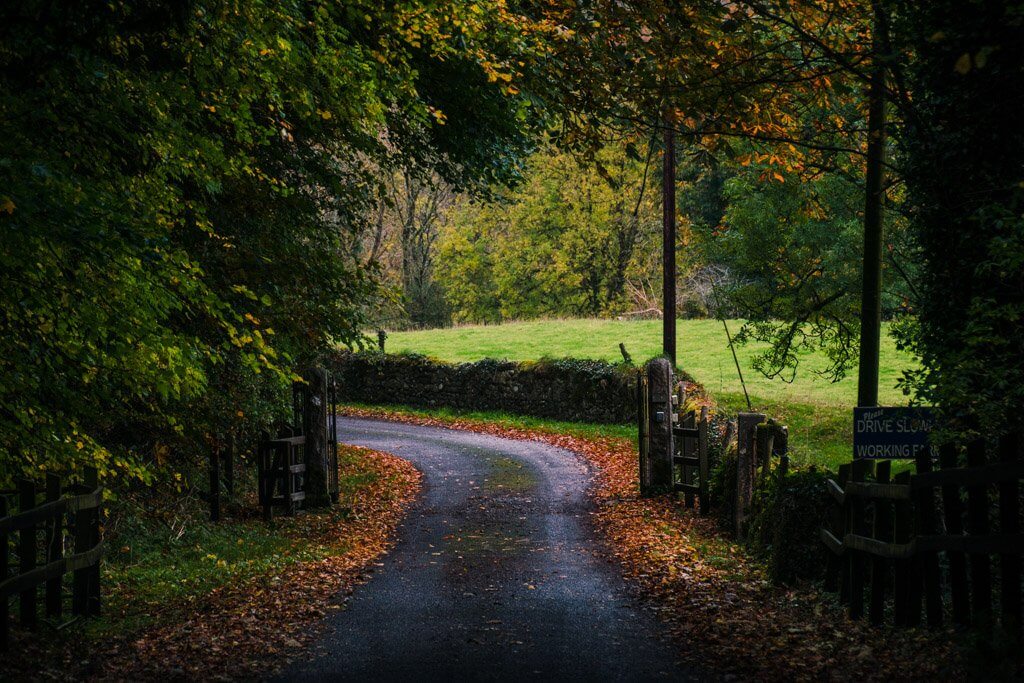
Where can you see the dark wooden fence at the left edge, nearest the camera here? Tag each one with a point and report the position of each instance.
(69, 517)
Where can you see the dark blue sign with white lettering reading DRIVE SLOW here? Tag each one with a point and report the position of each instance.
(891, 434)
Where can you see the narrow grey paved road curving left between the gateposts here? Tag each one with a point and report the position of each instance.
(494, 577)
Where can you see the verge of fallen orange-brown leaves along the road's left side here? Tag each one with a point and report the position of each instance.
(251, 625)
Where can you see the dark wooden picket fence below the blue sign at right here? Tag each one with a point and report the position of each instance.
(901, 540)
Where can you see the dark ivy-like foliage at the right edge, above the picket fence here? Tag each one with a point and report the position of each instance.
(963, 149)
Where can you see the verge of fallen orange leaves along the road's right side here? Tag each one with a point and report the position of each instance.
(712, 596)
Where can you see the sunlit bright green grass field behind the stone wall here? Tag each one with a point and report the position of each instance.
(818, 411)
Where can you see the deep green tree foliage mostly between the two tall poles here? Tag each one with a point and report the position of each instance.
(790, 250)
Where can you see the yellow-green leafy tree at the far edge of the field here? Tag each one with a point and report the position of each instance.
(562, 243)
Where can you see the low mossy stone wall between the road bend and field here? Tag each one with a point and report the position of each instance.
(562, 390)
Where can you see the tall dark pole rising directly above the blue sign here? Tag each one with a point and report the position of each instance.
(871, 297)
